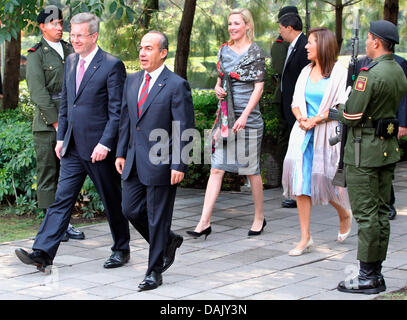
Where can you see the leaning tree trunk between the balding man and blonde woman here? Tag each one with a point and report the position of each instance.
(184, 36)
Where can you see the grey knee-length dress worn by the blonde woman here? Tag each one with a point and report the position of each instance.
(242, 154)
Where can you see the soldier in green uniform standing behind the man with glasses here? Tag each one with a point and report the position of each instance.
(45, 74)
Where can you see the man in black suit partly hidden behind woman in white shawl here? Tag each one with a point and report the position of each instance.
(290, 29)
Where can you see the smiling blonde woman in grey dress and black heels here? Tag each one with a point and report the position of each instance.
(238, 130)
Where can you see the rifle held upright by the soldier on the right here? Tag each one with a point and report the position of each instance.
(342, 130)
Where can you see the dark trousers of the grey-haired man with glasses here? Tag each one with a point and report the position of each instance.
(71, 178)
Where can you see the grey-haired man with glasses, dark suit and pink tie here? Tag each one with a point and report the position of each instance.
(87, 136)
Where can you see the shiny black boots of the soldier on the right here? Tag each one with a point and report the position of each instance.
(367, 282)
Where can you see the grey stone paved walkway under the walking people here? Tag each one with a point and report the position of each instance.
(228, 265)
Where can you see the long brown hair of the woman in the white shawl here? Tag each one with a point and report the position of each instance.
(327, 49)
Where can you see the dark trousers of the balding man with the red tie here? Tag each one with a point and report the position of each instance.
(149, 209)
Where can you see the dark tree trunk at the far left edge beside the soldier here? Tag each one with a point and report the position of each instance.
(11, 73)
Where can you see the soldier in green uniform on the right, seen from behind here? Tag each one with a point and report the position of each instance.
(371, 153)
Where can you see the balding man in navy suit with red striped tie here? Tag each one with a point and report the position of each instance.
(156, 104)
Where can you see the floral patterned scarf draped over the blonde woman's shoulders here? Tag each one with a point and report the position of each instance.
(251, 67)
